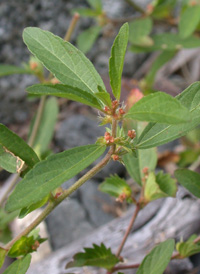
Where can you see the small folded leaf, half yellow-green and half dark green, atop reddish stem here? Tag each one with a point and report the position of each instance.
(159, 186)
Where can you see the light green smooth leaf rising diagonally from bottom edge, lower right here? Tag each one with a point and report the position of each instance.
(157, 260)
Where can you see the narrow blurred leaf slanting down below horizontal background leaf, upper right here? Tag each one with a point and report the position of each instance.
(161, 60)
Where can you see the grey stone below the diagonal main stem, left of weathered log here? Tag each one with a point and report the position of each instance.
(67, 223)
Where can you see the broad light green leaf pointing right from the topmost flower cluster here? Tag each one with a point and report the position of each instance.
(159, 107)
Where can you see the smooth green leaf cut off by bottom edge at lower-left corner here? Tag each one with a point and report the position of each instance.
(19, 266)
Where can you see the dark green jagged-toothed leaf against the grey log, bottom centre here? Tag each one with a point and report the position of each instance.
(99, 256)
